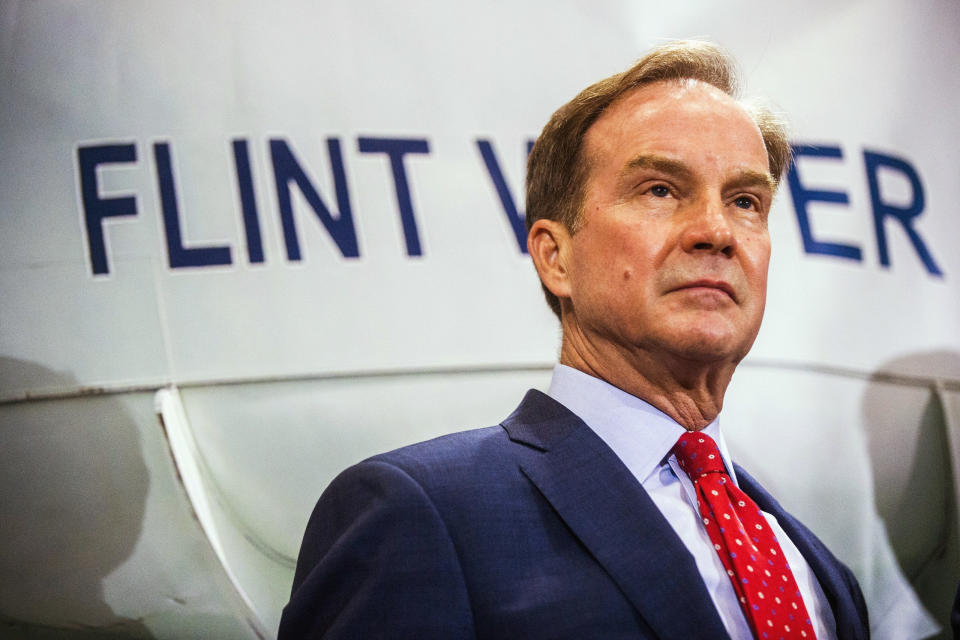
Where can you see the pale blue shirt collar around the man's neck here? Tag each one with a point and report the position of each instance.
(640, 434)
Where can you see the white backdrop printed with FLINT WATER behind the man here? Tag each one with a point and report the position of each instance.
(302, 229)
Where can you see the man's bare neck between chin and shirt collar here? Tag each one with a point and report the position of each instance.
(689, 391)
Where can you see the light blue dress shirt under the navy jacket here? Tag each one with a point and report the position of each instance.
(642, 436)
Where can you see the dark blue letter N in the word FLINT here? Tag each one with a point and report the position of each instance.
(287, 169)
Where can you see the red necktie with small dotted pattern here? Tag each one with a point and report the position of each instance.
(747, 548)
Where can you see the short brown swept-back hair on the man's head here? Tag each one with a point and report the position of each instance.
(556, 168)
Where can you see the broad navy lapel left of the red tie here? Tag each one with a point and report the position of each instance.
(607, 509)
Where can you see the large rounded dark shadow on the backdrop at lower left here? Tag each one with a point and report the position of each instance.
(73, 488)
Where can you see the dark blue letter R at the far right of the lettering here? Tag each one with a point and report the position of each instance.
(904, 215)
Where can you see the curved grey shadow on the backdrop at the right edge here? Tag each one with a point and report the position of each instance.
(910, 457)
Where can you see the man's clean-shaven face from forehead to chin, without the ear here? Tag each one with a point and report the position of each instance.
(672, 255)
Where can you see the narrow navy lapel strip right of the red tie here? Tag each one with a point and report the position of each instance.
(825, 566)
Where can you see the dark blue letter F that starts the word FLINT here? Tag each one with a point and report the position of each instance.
(95, 208)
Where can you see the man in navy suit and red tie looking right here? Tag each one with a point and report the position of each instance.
(587, 513)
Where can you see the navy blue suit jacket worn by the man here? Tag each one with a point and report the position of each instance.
(530, 529)
